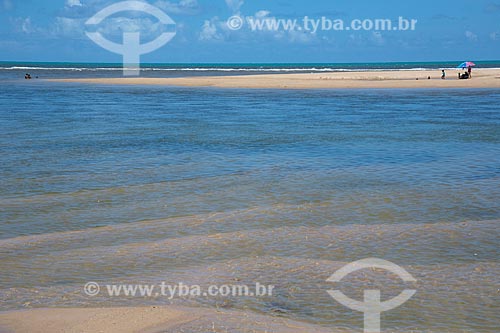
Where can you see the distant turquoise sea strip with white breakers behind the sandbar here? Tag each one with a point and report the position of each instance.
(43, 70)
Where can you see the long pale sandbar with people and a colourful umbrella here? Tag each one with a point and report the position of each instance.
(482, 78)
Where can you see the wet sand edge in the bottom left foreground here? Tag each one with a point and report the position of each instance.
(144, 320)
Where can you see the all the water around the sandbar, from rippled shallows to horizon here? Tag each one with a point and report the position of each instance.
(205, 186)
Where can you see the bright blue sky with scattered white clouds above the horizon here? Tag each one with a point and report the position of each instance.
(54, 30)
